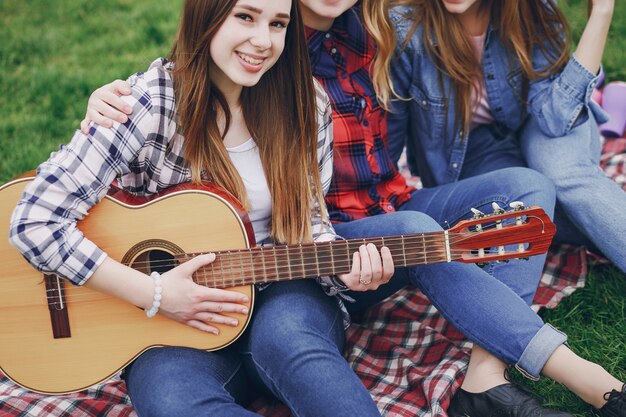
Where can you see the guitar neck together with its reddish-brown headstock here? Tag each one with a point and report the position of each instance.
(504, 235)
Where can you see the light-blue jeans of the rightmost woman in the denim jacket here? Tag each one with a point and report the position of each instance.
(593, 202)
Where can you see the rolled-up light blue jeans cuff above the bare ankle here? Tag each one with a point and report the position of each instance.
(539, 350)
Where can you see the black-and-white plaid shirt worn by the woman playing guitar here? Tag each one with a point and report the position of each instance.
(145, 155)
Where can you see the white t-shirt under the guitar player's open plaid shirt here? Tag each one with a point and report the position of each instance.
(247, 160)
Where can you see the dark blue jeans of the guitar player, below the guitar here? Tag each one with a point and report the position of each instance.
(291, 349)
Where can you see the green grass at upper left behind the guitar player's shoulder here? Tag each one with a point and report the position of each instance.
(53, 55)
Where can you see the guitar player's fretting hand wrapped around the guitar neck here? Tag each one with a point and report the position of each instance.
(370, 268)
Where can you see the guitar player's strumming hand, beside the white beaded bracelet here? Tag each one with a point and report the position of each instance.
(196, 305)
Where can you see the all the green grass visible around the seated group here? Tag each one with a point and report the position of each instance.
(53, 54)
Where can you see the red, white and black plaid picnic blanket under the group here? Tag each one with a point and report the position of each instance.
(407, 355)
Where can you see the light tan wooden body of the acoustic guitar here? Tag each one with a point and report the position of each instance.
(107, 333)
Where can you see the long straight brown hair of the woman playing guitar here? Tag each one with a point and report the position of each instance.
(279, 111)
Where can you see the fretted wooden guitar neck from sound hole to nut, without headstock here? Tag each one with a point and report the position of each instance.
(287, 262)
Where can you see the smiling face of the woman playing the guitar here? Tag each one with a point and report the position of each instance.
(248, 43)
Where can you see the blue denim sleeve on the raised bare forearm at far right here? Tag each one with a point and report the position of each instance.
(563, 101)
